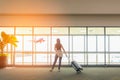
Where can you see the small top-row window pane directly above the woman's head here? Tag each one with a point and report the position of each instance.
(60, 30)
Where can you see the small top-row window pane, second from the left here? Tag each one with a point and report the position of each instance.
(24, 30)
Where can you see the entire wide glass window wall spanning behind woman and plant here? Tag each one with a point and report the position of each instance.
(86, 45)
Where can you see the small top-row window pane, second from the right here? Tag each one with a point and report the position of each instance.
(96, 30)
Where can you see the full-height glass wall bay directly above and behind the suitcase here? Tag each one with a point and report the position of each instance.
(78, 44)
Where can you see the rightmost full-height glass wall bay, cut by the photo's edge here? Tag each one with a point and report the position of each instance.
(113, 48)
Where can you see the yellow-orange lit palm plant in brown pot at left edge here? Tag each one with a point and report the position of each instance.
(4, 40)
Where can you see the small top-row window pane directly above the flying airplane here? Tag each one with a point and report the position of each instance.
(41, 30)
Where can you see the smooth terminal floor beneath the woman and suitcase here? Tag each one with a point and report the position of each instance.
(67, 73)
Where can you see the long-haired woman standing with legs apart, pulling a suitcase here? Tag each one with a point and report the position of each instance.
(59, 54)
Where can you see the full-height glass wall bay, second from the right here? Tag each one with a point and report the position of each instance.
(96, 45)
